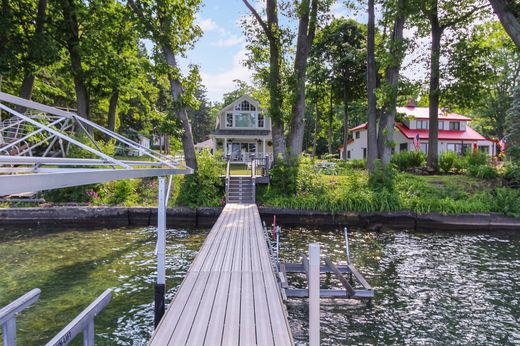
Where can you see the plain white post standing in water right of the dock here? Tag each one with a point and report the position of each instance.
(314, 294)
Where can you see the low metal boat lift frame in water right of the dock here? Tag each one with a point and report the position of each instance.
(355, 286)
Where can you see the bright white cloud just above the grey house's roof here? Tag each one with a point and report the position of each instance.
(221, 82)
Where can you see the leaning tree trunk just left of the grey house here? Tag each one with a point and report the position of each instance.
(180, 112)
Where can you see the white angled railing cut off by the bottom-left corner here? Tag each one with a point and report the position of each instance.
(9, 312)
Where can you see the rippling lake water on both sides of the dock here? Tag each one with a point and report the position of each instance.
(431, 288)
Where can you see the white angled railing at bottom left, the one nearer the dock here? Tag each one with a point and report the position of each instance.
(84, 322)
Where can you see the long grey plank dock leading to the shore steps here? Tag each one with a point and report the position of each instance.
(230, 295)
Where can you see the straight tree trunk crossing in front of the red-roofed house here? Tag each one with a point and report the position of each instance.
(433, 133)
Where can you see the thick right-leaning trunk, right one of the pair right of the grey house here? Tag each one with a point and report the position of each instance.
(306, 32)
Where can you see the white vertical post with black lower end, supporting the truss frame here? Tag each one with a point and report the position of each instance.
(161, 249)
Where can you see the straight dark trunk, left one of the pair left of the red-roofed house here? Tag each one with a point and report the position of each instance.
(371, 89)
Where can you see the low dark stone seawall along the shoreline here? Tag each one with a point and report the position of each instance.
(205, 217)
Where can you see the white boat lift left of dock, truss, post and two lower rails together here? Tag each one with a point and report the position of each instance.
(47, 148)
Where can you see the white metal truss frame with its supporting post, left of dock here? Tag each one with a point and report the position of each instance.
(50, 130)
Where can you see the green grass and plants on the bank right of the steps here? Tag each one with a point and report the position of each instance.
(350, 191)
